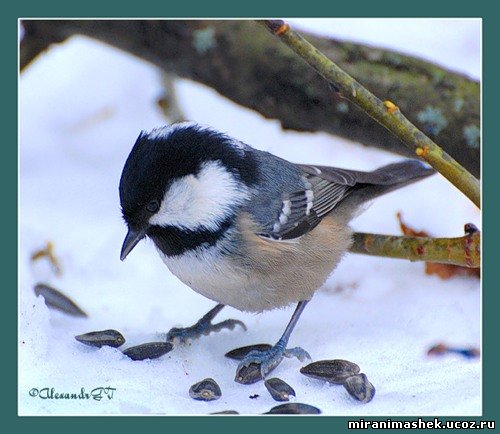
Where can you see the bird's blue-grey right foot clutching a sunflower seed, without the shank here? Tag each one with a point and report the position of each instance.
(257, 364)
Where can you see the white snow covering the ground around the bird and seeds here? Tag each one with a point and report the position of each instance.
(82, 106)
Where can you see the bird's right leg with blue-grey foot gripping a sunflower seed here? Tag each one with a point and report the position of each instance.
(269, 359)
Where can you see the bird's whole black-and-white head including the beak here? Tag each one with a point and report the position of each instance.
(181, 184)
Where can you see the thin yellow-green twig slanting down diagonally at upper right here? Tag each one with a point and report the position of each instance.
(386, 113)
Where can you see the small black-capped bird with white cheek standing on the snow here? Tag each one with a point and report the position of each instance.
(241, 226)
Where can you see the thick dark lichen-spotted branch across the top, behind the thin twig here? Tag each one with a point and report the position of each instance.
(247, 65)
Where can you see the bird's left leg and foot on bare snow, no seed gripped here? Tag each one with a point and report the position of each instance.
(203, 327)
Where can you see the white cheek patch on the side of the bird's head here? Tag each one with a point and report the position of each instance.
(202, 201)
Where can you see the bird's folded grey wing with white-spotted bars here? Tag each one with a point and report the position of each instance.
(302, 210)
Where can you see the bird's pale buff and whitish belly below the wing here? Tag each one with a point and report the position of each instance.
(265, 274)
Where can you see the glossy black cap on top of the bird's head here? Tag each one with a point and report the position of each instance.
(166, 154)
